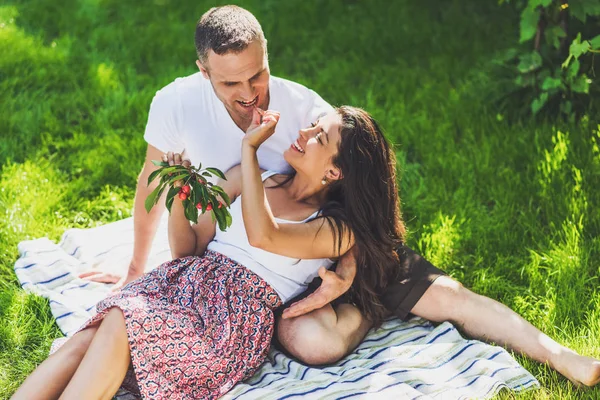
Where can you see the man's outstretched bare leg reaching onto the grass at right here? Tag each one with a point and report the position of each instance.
(483, 318)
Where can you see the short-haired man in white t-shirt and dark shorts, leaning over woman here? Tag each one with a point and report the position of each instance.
(206, 114)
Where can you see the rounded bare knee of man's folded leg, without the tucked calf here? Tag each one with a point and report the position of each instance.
(312, 338)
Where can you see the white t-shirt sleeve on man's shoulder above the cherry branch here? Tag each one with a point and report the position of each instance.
(162, 129)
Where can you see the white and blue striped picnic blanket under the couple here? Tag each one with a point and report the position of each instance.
(400, 360)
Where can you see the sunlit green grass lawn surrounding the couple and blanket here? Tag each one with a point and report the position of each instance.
(506, 206)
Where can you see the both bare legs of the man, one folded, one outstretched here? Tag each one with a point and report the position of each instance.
(310, 337)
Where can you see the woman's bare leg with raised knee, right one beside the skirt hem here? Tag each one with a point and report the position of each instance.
(103, 368)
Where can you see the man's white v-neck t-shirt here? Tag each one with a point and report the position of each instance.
(186, 114)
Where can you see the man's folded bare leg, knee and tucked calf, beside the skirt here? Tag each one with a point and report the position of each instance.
(323, 336)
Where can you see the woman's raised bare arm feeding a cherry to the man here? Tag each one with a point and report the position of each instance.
(314, 239)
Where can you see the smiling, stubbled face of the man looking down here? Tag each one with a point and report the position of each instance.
(240, 81)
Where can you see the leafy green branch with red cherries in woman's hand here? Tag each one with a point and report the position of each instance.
(193, 188)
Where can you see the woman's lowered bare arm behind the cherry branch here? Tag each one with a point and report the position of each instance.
(187, 239)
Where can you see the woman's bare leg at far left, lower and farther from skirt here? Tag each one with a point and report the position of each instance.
(50, 378)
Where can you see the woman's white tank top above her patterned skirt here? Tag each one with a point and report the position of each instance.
(288, 276)
